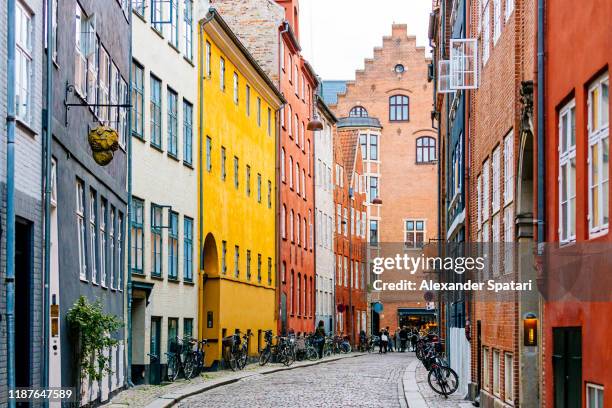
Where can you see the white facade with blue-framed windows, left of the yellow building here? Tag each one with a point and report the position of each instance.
(164, 230)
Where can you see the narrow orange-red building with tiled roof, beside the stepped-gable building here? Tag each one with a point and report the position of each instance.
(349, 235)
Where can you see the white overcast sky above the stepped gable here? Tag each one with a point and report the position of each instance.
(336, 35)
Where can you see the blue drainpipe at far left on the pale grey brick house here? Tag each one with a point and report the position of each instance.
(10, 200)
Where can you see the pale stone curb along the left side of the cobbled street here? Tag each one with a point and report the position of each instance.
(170, 399)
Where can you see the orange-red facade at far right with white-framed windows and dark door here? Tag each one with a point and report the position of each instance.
(577, 327)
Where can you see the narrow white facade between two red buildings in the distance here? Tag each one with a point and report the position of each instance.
(324, 211)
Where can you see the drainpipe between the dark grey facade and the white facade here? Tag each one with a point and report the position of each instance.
(129, 213)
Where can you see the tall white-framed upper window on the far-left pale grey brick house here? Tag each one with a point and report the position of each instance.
(23, 63)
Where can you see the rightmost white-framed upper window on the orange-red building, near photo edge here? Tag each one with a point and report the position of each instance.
(599, 147)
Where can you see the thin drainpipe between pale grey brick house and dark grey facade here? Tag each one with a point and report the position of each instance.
(48, 117)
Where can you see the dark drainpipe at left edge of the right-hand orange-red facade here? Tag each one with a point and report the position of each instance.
(541, 122)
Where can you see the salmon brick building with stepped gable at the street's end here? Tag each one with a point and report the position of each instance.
(392, 92)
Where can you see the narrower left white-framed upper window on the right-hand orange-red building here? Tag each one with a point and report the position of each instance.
(567, 173)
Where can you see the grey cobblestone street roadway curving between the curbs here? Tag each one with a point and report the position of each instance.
(372, 380)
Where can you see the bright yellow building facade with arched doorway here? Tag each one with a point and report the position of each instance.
(237, 190)
